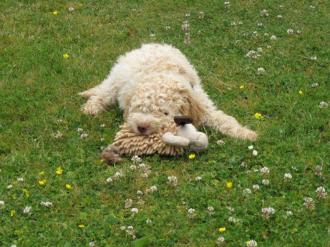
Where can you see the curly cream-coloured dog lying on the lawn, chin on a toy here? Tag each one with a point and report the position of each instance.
(153, 84)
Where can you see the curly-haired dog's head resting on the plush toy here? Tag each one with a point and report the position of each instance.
(156, 110)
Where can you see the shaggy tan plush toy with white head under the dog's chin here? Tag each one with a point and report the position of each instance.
(172, 139)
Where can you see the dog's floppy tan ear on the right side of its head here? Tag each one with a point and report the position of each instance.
(192, 108)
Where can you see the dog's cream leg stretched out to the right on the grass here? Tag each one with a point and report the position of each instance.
(220, 121)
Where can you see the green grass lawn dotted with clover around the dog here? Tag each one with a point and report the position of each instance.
(38, 87)
